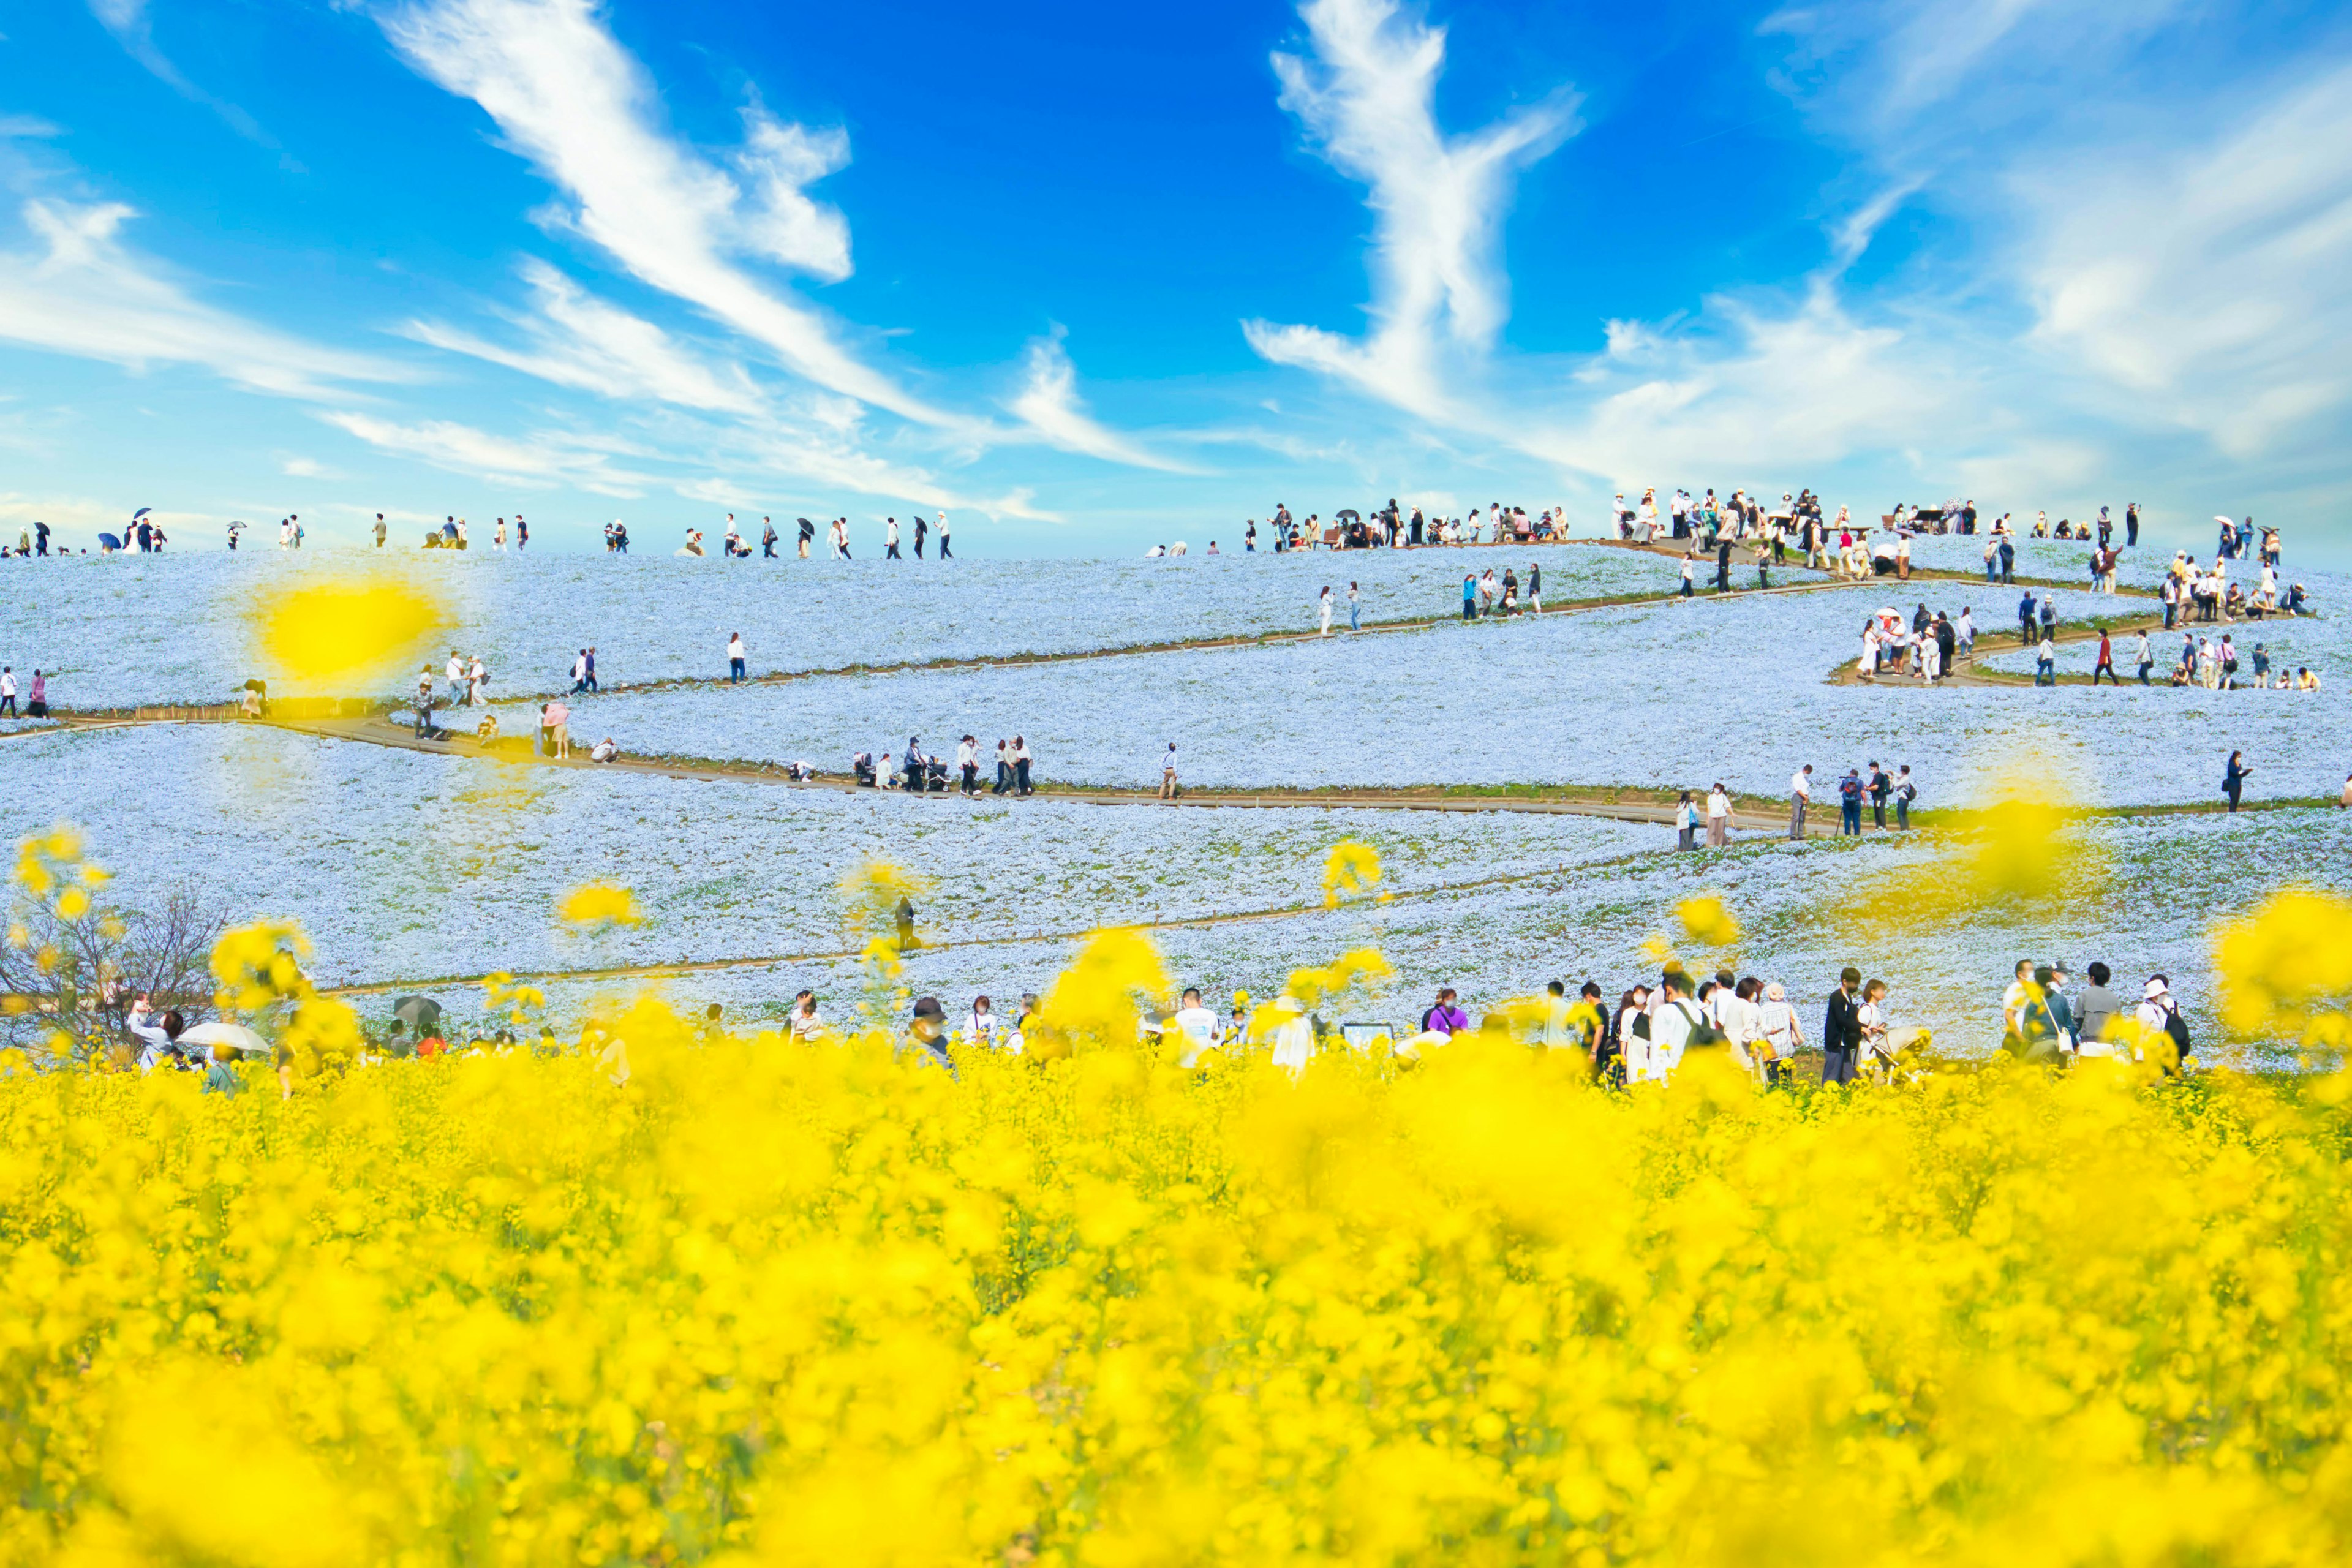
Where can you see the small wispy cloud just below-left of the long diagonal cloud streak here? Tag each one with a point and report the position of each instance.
(589, 344)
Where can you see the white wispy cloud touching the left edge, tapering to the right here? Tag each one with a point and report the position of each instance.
(83, 293)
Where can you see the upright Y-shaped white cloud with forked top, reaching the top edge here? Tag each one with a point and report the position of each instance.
(1368, 102)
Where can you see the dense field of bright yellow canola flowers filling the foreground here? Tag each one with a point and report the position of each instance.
(773, 1304)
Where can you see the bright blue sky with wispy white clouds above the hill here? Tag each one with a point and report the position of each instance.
(1095, 279)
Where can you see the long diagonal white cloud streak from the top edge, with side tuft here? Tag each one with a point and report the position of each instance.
(584, 112)
